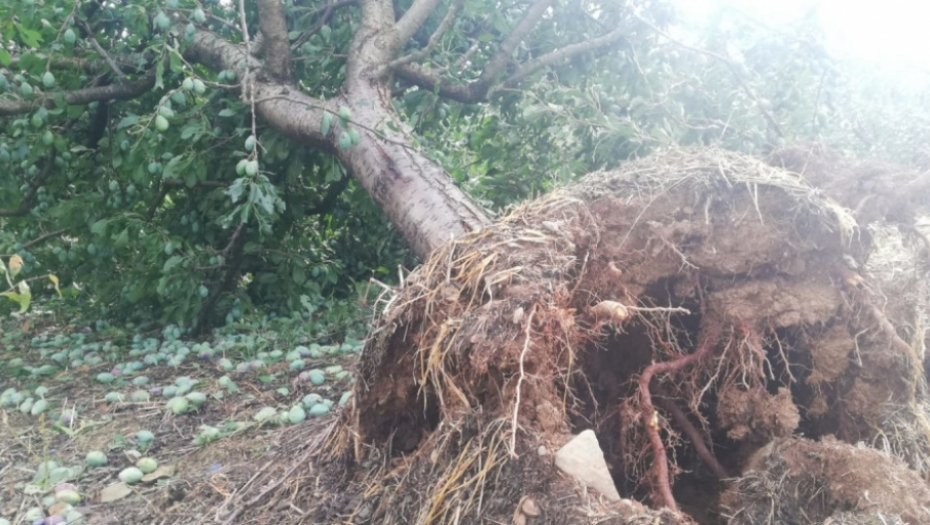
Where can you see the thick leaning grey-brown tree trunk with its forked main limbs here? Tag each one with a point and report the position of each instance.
(416, 194)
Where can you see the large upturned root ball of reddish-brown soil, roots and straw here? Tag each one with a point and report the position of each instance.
(691, 308)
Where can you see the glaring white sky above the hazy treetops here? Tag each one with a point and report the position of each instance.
(890, 33)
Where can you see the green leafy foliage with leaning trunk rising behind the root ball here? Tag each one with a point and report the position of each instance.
(183, 160)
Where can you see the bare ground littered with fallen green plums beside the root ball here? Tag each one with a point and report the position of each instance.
(204, 454)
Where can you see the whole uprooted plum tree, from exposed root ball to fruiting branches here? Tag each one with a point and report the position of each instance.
(730, 333)
